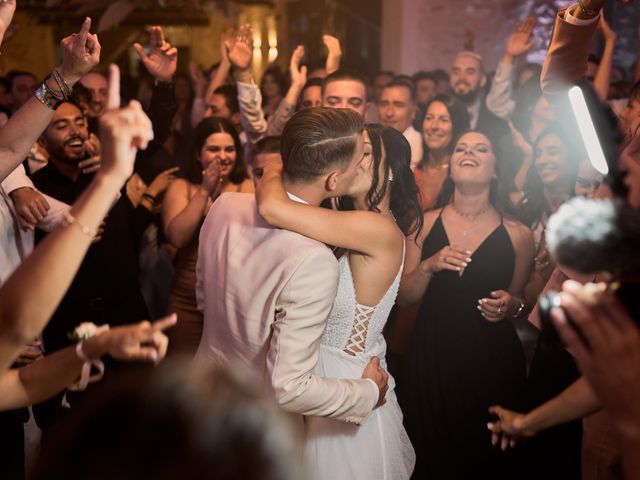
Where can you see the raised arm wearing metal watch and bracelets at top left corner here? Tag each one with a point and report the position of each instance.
(80, 53)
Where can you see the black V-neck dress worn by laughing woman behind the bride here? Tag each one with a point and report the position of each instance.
(459, 364)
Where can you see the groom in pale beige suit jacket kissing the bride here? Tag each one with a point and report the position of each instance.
(266, 293)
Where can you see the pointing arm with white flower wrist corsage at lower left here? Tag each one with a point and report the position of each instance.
(46, 377)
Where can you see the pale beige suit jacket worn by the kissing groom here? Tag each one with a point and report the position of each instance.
(266, 294)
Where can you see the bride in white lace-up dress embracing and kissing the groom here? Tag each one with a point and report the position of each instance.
(385, 208)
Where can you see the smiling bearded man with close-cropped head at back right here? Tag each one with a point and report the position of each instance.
(468, 81)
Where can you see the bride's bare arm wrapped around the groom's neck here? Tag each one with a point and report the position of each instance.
(365, 232)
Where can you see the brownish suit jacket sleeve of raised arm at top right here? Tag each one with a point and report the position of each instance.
(566, 61)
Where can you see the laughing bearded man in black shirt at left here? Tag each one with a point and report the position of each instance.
(105, 289)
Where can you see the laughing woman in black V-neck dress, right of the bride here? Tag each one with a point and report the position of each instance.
(469, 265)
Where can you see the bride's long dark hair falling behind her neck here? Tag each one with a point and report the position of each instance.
(397, 175)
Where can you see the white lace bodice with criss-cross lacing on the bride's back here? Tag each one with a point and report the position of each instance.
(355, 328)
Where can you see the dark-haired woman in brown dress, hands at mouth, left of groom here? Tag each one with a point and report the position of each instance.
(216, 166)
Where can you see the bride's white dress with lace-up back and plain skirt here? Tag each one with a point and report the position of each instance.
(380, 447)
